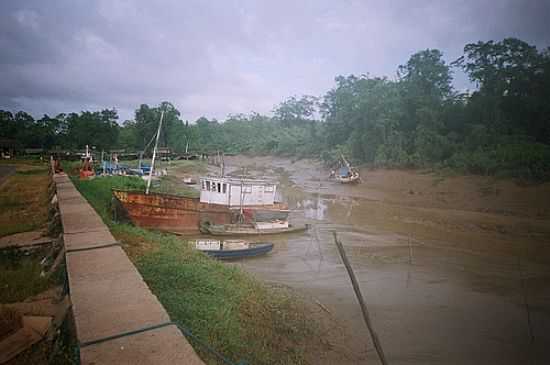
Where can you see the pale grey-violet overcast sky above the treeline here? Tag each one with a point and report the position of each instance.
(213, 58)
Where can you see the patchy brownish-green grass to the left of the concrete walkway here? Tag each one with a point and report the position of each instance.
(24, 207)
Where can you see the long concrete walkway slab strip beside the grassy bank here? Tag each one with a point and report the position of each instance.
(118, 320)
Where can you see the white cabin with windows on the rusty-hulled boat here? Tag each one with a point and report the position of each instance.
(235, 192)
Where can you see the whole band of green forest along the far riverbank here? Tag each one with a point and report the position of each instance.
(416, 120)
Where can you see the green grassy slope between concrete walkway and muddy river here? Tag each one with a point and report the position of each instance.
(222, 305)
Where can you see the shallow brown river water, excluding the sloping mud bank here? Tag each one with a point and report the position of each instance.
(433, 297)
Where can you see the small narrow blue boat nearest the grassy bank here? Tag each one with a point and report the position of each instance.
(232, 249)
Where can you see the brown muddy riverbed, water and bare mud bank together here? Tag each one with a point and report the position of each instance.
(454, 270)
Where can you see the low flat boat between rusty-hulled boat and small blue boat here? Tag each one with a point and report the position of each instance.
(252, 229)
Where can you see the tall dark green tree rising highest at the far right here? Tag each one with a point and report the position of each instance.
(514, 86)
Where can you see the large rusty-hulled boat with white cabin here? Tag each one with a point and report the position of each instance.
(222, 201)
